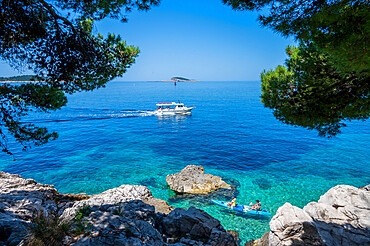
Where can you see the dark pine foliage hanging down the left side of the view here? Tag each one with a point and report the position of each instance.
(62, 51)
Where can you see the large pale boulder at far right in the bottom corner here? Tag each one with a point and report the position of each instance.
(342, 215)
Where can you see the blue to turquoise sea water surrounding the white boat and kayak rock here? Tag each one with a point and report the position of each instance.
(109, 137)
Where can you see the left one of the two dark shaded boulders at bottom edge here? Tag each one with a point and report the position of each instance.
(130, 223)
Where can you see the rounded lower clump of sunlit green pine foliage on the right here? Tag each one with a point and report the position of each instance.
(310, 92)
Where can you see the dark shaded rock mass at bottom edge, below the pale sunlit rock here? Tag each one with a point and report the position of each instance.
(136, 223)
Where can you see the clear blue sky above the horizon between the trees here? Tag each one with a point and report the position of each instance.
(201, 39)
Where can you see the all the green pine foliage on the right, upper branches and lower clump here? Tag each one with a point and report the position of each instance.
(326, 80)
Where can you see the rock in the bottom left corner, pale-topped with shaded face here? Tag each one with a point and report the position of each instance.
(23, 200)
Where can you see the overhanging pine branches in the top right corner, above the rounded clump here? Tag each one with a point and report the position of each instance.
(339, 28)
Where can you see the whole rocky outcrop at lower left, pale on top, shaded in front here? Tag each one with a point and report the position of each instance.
(120, 216)
